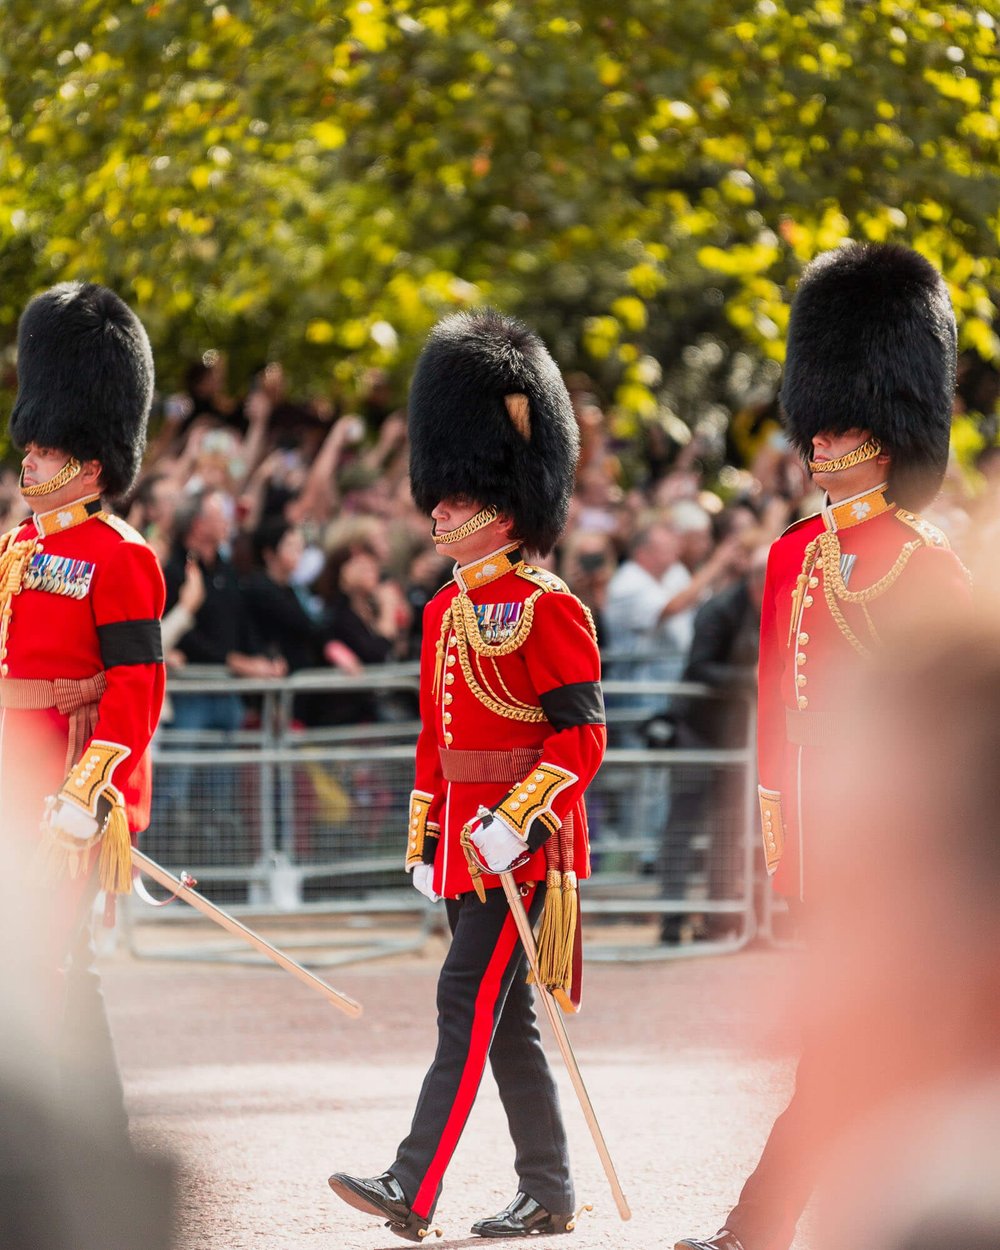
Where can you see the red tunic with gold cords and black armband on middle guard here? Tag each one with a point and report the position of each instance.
(509, 662)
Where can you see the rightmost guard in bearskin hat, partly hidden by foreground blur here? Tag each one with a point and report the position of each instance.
(867, 397)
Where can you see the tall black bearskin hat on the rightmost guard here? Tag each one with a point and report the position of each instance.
(872, 347)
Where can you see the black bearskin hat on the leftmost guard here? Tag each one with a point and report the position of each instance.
(84, 381)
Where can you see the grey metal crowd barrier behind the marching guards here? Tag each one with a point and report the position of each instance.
(307, 824)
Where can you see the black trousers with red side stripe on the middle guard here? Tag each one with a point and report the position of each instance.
(486, 1011)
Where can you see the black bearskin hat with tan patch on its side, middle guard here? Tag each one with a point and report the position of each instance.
(491, 419)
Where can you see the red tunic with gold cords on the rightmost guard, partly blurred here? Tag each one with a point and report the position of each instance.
(893, 571)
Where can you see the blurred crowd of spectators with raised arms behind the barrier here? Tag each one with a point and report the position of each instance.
(291, 542)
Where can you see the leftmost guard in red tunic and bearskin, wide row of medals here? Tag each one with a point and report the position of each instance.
(82, 674)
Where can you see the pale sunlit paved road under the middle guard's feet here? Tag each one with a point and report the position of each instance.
(259, 1091)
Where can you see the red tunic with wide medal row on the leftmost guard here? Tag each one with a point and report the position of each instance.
(91, 599)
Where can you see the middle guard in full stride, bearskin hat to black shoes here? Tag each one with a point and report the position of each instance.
(513, 732)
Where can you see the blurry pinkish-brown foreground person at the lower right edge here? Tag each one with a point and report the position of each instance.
(906, 952)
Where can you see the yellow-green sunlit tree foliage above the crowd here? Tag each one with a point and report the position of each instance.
(642, 182)
